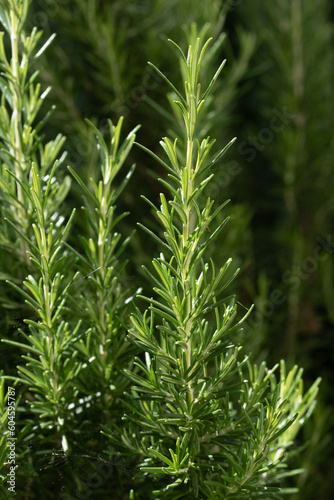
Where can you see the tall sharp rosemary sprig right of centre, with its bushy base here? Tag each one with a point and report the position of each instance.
(203, 422)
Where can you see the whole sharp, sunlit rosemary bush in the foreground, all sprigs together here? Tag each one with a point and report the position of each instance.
(178, 408)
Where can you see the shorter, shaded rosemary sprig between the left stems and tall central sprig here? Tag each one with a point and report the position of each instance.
(104, 299)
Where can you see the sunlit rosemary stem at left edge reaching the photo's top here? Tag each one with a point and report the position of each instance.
(21, 100)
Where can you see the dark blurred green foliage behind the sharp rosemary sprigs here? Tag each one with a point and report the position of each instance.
(277, 98)
